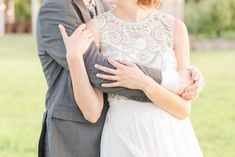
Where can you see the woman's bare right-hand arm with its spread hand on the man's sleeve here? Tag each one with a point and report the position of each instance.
(132, 77)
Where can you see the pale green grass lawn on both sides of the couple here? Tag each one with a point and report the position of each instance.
(22, 92)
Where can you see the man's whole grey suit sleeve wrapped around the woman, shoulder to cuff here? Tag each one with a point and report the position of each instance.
(50, 16)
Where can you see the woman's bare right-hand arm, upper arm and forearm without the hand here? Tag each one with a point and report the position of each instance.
(168, 101)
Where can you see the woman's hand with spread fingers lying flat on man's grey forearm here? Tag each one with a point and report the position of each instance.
(126, 74)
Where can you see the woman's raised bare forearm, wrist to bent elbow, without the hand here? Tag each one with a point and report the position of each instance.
(88, 98)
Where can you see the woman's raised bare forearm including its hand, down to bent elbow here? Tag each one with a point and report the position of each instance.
(88, 99)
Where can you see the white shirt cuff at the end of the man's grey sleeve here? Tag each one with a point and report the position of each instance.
(170, 80)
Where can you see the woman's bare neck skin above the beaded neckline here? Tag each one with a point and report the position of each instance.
(131, 11)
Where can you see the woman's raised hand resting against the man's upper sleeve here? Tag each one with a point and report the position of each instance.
(78, 43)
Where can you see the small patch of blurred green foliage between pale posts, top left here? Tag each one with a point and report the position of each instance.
(22, 10)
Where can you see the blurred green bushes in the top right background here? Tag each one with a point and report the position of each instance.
(211, 18)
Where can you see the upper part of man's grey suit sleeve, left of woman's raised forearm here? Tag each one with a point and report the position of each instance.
(52, 14)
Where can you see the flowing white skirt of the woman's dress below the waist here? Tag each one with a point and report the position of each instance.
(137, 129)
